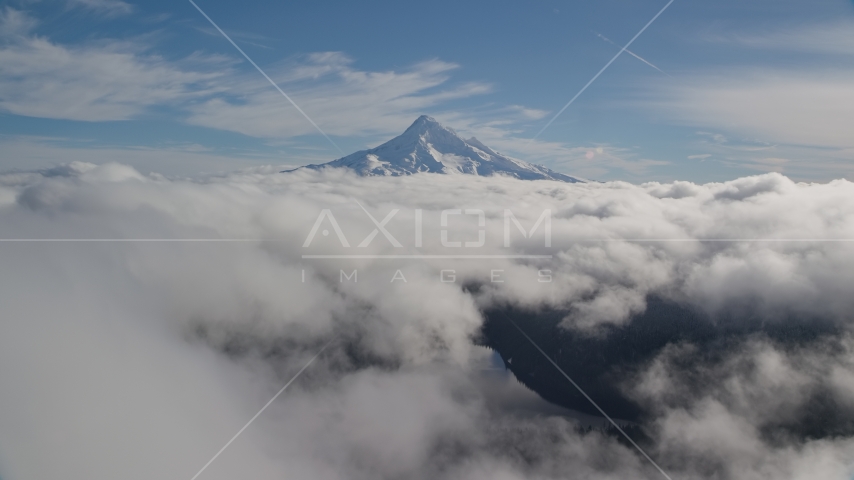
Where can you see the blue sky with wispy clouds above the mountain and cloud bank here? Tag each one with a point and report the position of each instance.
(746, 87)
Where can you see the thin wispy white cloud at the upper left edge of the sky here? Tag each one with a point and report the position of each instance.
(93, 82)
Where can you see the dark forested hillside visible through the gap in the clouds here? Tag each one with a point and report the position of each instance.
(603, 364)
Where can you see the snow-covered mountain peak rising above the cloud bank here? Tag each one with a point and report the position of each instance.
(427, 146)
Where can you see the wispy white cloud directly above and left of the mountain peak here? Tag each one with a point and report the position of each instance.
(345, 100)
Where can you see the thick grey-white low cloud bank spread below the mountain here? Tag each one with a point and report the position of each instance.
(141, 359)
